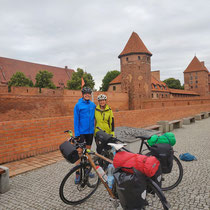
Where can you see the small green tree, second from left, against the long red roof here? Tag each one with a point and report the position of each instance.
(44, 80)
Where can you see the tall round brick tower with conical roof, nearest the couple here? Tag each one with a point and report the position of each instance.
(136, 71)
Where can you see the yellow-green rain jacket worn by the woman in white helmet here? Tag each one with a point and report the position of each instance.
(104, 119)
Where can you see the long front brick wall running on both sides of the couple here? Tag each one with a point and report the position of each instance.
(25, 138)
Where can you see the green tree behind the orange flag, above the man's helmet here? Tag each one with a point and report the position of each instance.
(75, 82)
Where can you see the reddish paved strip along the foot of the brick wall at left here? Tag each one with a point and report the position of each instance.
(28, 164)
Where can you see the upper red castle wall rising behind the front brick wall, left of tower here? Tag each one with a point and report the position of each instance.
(27, 103)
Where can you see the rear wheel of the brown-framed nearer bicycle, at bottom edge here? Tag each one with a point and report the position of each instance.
(155, 197)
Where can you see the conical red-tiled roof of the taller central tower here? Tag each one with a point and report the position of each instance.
(134, 46)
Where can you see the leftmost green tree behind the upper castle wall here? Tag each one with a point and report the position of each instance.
(19, 80)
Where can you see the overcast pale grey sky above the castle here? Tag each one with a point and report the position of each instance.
(91, 34)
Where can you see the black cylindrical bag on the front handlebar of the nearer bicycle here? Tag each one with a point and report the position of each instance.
(69, 152)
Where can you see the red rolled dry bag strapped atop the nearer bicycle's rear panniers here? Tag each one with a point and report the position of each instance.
(148, 165)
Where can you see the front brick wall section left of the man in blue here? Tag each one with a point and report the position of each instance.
(25, 138)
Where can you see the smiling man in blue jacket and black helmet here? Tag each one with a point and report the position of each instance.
(84, 116)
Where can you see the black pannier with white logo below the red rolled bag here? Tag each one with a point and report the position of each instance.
(131, 189)
